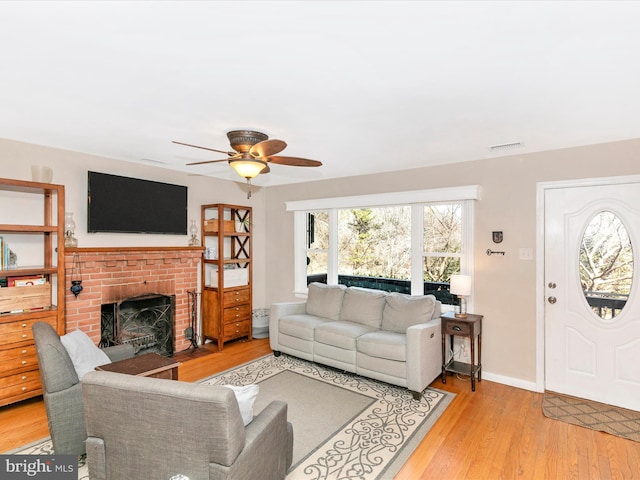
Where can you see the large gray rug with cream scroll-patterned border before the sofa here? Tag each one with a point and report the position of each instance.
(345, 426)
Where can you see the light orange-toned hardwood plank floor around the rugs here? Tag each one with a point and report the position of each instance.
(496, 432)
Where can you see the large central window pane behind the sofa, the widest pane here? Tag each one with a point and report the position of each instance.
(375, 244)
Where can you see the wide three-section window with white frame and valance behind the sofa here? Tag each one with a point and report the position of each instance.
(409, 242)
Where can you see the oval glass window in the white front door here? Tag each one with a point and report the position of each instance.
(606, 265)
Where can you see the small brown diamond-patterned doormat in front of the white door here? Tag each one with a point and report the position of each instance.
(596, 416)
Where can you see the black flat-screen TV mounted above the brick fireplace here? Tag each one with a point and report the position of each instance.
(131, 205)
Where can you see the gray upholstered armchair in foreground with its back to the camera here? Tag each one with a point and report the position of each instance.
(149, 428)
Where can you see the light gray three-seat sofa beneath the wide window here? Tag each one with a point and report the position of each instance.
(390, 337)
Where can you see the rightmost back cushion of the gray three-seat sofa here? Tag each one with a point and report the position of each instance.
(401, 311)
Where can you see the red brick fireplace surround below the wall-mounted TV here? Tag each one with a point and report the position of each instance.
(114, 274)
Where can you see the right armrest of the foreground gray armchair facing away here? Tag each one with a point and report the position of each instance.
(268, 449)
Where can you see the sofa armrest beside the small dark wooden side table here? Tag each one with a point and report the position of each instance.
(424, 354)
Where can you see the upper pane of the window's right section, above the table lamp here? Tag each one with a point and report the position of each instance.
(443, 228)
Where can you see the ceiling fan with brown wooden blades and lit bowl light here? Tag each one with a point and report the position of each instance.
(253, 154)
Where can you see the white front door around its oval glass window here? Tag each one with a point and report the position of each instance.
(586, 355)
